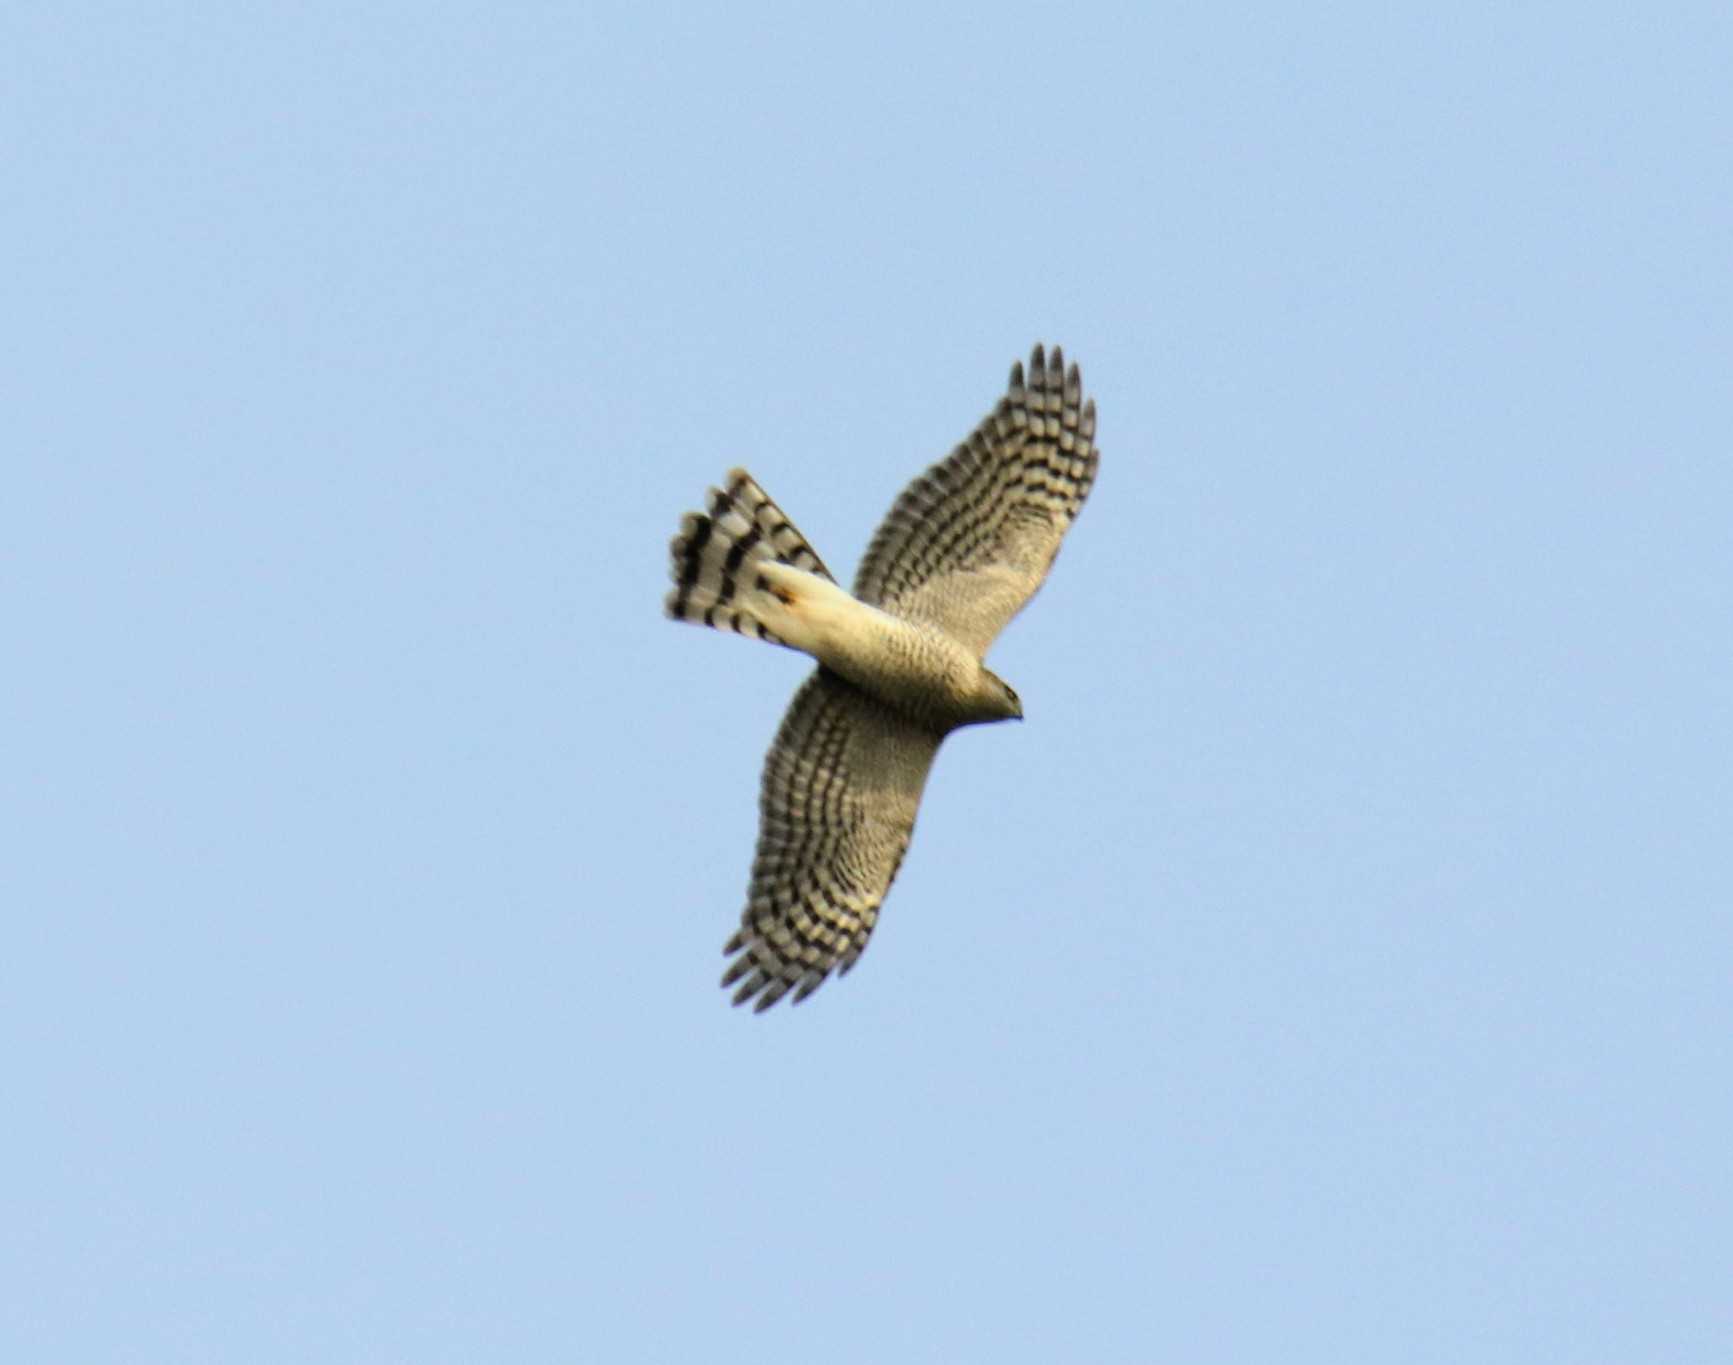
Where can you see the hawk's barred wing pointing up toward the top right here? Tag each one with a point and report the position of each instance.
(970, 541)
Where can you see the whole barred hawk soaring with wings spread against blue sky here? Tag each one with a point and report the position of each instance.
(899, 661)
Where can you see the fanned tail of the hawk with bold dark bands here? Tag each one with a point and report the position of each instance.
(718, 552)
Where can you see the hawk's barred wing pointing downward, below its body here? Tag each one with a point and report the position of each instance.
(838, 806)
